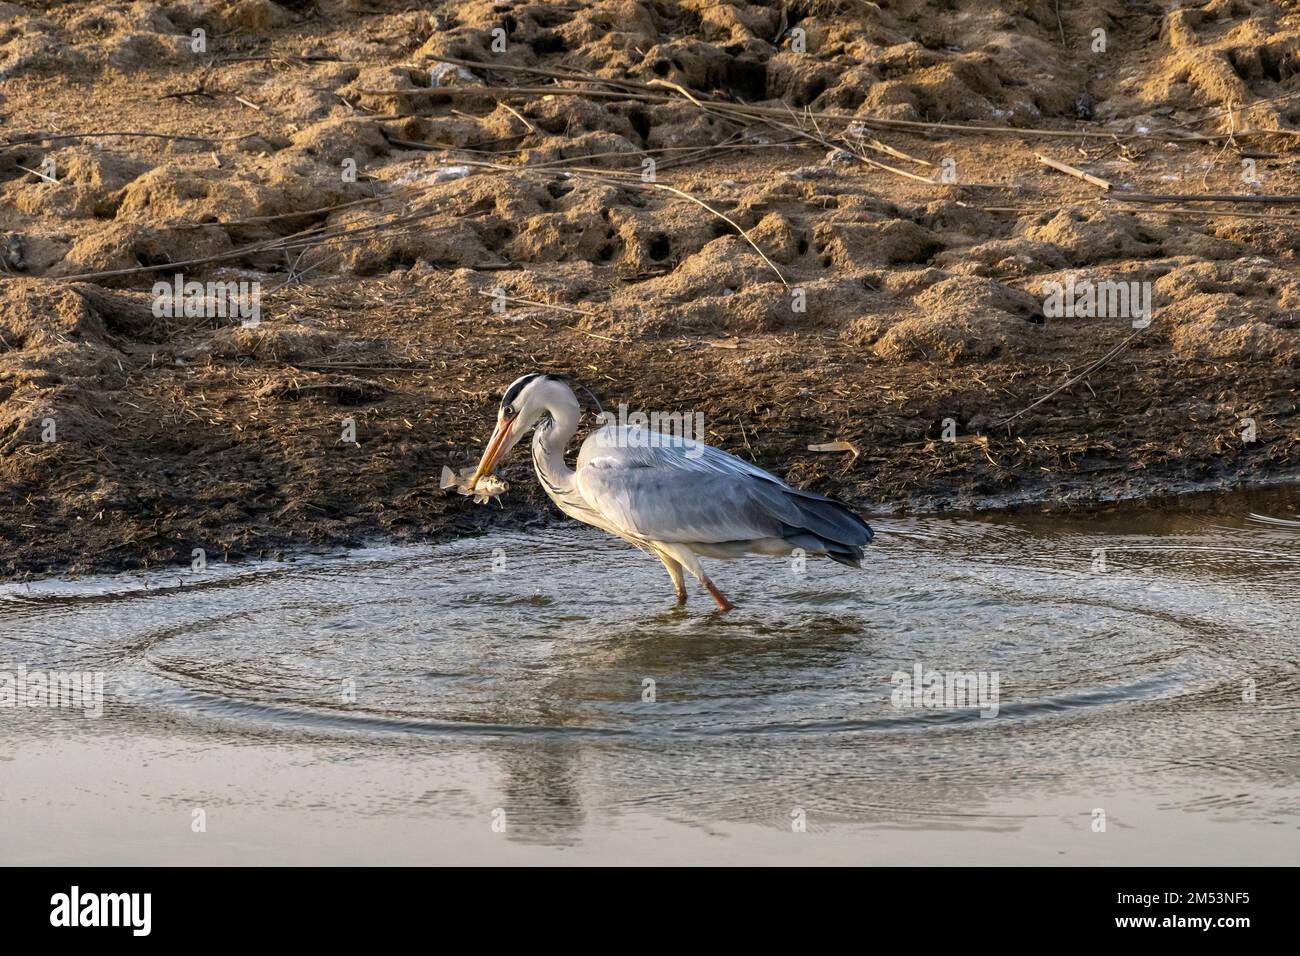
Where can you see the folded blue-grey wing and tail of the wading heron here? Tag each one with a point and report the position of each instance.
(681, 491)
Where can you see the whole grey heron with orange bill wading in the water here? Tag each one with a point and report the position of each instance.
(671, 496)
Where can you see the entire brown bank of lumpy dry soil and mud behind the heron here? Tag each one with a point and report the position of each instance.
(924, 297)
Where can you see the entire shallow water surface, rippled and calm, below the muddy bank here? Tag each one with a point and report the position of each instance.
(532, 698)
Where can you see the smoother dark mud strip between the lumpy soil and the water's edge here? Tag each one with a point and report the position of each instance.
(236, 443)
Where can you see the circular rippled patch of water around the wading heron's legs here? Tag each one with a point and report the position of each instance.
(571, 633)
